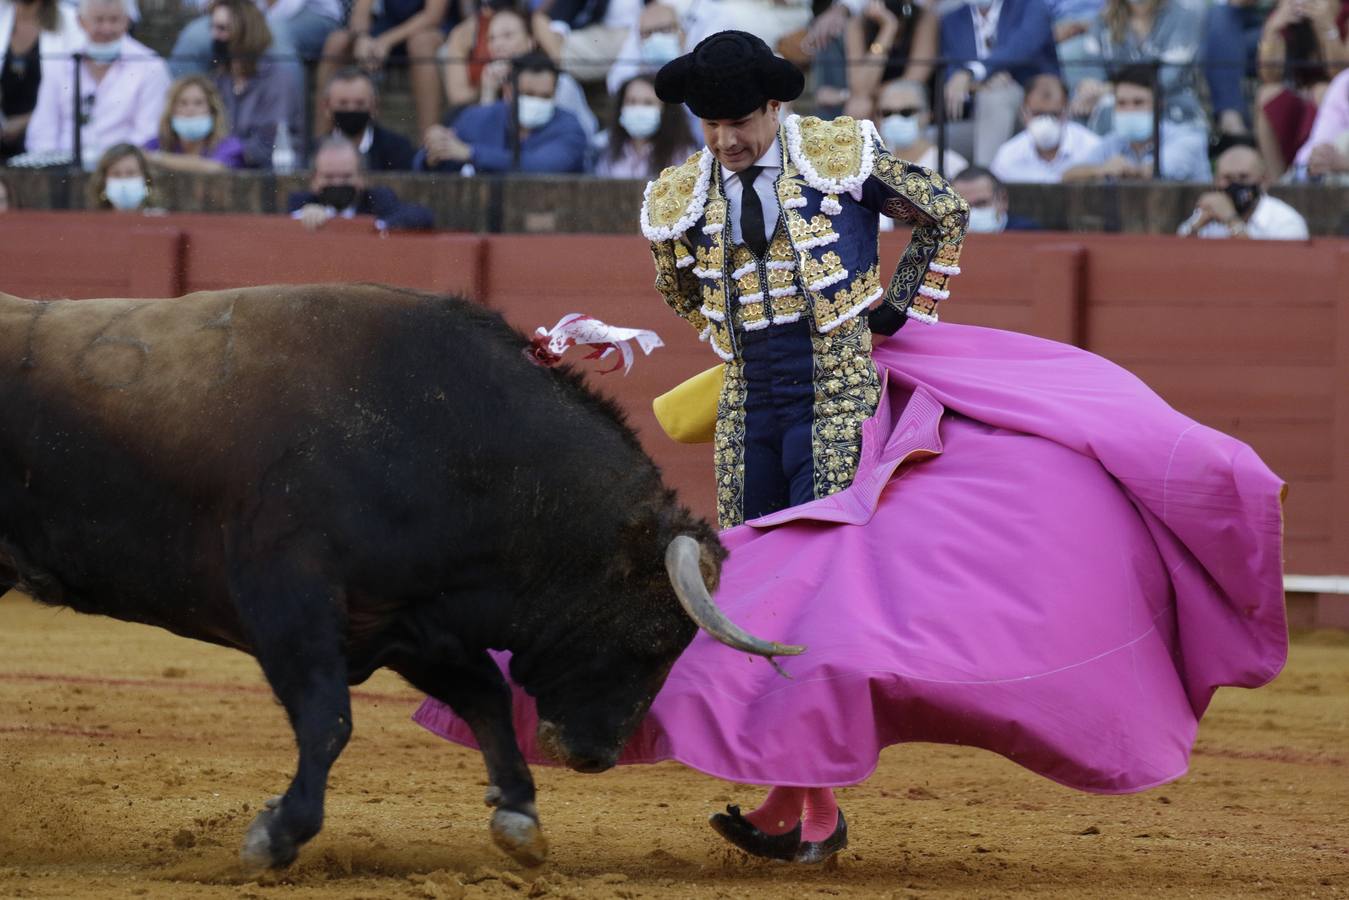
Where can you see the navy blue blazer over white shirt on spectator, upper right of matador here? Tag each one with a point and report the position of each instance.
(1023, 47)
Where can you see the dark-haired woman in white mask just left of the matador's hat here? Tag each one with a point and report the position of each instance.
(645, 136)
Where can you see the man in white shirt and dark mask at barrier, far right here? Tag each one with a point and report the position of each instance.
(1240, 207)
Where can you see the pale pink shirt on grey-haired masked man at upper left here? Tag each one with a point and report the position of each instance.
(126, 106)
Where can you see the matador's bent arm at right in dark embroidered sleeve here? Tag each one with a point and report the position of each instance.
(940, 217)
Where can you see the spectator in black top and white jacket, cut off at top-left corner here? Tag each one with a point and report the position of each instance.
(29, 34)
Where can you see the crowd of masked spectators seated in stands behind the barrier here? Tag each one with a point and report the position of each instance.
(1023, 91)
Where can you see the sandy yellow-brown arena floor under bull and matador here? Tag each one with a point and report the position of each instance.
(133, 760)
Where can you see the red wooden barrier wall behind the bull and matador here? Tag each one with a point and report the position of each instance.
(1251, 338)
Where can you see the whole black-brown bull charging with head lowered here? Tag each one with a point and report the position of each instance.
(343, 478)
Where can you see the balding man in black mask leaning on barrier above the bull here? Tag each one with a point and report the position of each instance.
(338, 191)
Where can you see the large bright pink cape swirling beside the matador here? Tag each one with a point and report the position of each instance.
(1038, 557)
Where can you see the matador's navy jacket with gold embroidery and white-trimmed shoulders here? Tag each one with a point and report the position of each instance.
(824, 260)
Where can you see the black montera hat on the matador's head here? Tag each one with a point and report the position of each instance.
(729, 75)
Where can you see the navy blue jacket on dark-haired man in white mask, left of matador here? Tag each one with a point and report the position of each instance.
(558, 148)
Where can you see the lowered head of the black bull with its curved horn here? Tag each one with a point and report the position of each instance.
(587, 714)
